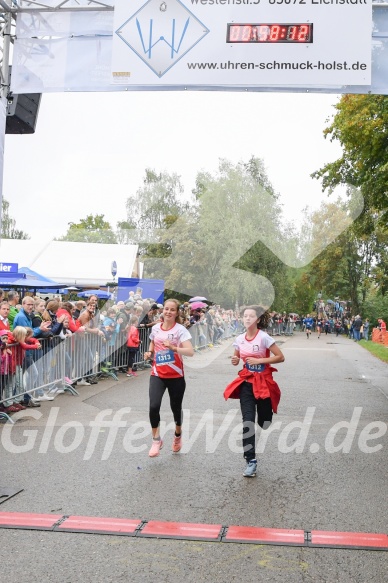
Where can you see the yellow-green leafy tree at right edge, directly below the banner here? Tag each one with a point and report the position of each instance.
(361, 126)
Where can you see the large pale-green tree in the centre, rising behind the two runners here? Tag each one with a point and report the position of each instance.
(217, 246)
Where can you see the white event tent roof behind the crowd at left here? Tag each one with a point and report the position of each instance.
(78, 264)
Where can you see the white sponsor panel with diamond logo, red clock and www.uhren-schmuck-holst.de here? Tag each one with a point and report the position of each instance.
(242, 42)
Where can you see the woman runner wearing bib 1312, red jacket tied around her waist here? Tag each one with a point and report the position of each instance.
(259, 394)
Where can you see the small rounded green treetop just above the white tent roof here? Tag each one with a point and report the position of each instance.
(93, 229)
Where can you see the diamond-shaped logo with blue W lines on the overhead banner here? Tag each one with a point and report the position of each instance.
(161, 33)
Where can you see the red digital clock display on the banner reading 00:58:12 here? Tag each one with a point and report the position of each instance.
(270, 33)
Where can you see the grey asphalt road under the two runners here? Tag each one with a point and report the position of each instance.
(313, 474)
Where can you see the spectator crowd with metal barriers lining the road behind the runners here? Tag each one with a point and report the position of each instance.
(33, 331)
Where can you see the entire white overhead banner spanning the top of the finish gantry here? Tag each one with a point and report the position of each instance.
(79, 51)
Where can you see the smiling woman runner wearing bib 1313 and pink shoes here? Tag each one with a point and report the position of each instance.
(169, 342)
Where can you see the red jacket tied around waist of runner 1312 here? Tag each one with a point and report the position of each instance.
(260, 381)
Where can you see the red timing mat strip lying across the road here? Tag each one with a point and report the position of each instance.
(192, 531)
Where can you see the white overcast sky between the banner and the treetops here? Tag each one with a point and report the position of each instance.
(90, 150)
